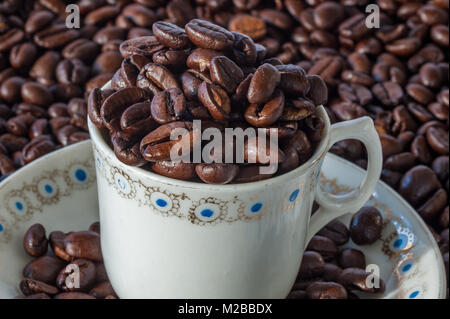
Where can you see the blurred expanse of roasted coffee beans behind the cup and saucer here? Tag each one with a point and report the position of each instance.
(397, 74)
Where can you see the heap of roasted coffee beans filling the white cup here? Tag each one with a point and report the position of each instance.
(205, 72)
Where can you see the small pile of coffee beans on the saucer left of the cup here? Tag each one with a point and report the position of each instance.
(73, 269)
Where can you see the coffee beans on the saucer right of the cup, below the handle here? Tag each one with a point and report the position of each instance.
(331, 272)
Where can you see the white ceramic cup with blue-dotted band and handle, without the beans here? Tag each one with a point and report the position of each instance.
(167, 238)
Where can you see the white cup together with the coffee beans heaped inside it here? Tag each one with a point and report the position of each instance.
(207, 159)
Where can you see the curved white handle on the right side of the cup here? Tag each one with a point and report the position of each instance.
(333, 206)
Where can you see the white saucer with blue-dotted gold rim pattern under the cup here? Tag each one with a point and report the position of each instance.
(59, 191)
